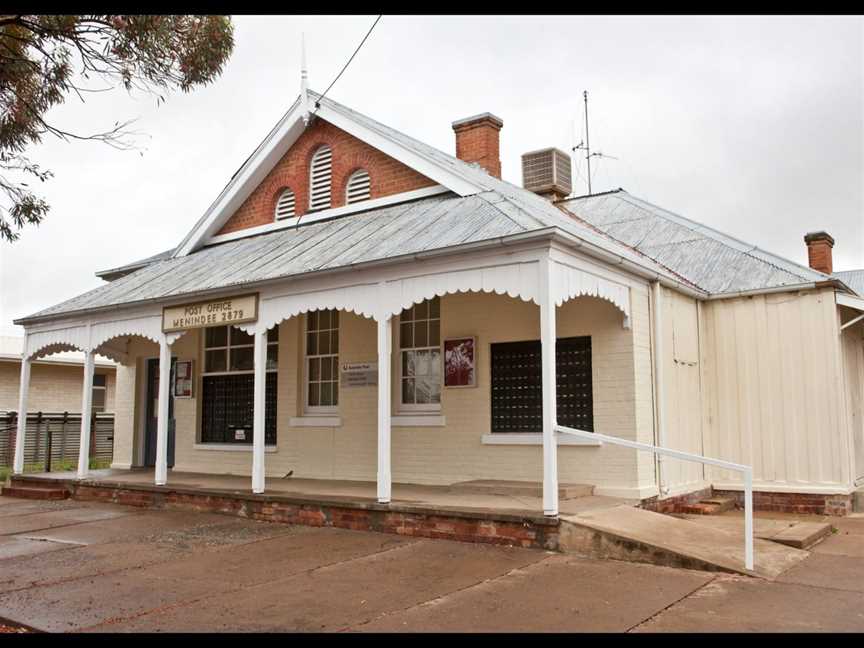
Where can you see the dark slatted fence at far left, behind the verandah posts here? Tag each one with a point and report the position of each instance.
(53, 439)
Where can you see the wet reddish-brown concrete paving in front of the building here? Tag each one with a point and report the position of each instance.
(71, 566)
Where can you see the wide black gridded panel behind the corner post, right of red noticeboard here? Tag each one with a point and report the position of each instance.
(517, 390)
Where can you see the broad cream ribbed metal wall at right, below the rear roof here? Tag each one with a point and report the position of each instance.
(772, 391)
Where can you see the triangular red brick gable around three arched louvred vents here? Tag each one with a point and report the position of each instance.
(388, 176)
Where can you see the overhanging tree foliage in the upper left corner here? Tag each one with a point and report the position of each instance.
(44, 59)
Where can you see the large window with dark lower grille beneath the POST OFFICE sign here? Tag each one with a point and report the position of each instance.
(228, 383)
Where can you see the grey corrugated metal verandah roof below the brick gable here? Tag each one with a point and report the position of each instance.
(424, 225)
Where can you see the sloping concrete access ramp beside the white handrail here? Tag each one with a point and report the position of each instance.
(637, 535)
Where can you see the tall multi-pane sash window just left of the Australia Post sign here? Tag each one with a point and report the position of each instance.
(322, 360)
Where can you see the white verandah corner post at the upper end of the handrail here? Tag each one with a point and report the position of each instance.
(548, 339)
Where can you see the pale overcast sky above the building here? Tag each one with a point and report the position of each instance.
(752, 125)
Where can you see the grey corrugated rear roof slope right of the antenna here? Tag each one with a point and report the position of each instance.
(713, 261)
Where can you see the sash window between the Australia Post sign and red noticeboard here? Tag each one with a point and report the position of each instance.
(420, 356)
